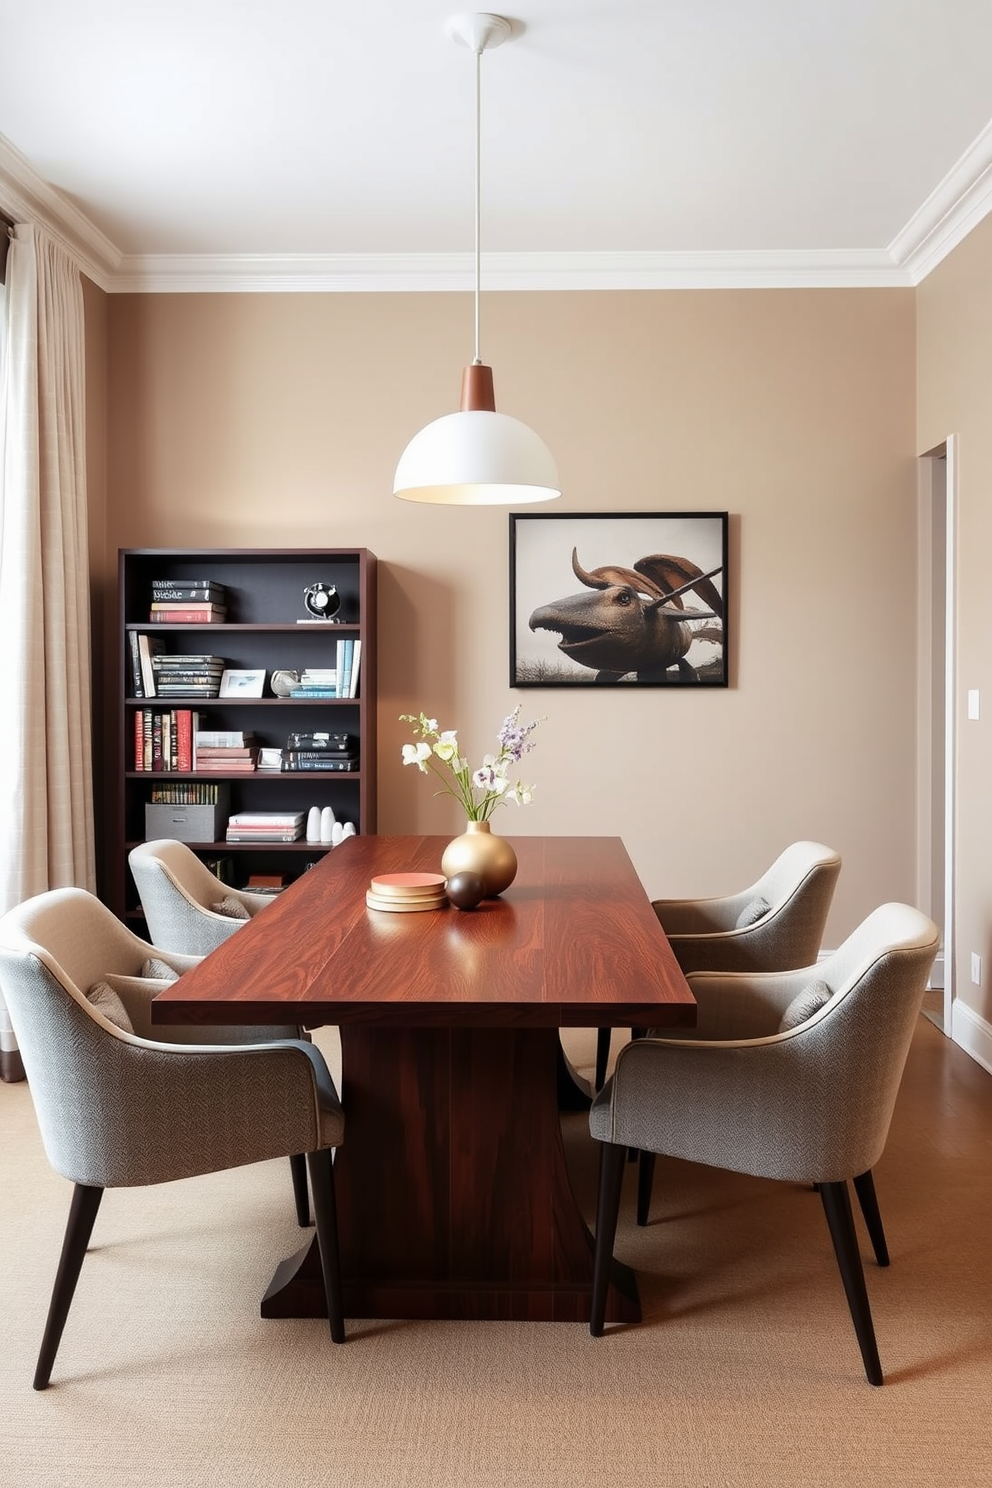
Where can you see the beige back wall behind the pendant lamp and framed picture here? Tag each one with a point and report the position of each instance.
(276, 420)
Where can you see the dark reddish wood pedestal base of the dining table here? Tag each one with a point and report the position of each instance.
(454, 1199)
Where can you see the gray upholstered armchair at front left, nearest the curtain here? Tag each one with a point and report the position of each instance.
(123, 1105)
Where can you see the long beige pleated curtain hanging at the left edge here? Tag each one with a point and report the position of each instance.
(47, 815)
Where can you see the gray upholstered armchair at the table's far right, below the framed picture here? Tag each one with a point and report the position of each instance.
(773, 926)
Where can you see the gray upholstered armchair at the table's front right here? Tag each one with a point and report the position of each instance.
(808, 1103)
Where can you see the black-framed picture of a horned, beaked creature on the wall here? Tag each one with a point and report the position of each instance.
(679, 642)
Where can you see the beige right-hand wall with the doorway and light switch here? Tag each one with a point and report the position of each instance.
(956, 398)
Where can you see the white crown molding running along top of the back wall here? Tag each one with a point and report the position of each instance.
(439, 273)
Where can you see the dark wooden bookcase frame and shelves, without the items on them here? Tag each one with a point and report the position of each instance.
(264, 596)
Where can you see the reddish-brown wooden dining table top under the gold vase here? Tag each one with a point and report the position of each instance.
(573, 943)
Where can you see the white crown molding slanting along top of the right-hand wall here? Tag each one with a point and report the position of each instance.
(957, 206)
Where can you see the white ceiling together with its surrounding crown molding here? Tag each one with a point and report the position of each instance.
(313, 144)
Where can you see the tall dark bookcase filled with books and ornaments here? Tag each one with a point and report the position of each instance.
(265, 627)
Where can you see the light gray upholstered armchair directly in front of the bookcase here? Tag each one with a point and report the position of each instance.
(179, 895)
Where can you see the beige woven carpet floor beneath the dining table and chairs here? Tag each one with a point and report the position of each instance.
(746, 1373)
